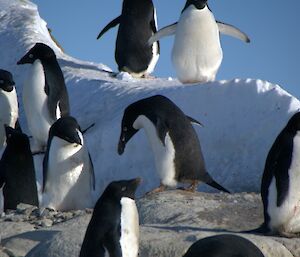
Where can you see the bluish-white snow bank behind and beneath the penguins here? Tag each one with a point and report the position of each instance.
(241, 117)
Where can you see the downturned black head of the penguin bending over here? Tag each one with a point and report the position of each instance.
(127, 129)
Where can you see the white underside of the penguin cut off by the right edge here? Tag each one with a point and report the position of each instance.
(287, 216)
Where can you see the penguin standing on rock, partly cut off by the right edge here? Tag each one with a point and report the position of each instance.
(280, 183)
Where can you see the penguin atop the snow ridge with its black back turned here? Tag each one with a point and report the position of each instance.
(137, 23)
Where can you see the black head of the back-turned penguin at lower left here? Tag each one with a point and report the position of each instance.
(15, 139)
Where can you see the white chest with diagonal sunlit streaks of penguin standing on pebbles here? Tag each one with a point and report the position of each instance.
(68, 178)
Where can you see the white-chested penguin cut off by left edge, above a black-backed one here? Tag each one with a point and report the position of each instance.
(8, 104)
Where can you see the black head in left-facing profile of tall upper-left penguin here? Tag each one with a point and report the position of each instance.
(39, 51)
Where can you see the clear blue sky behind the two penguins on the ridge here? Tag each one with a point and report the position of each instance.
(272, 25)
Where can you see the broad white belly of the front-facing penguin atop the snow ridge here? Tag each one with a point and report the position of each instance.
(197, 52)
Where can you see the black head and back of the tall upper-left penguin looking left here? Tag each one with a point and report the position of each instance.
(55, 86)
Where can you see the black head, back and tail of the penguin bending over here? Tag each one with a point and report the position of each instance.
(169, 118)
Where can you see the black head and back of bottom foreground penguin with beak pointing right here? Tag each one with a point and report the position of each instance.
(104, 229)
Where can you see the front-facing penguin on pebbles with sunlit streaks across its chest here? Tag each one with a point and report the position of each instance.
(68, 173)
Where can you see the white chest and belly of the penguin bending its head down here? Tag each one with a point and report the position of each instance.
(164, 154)
